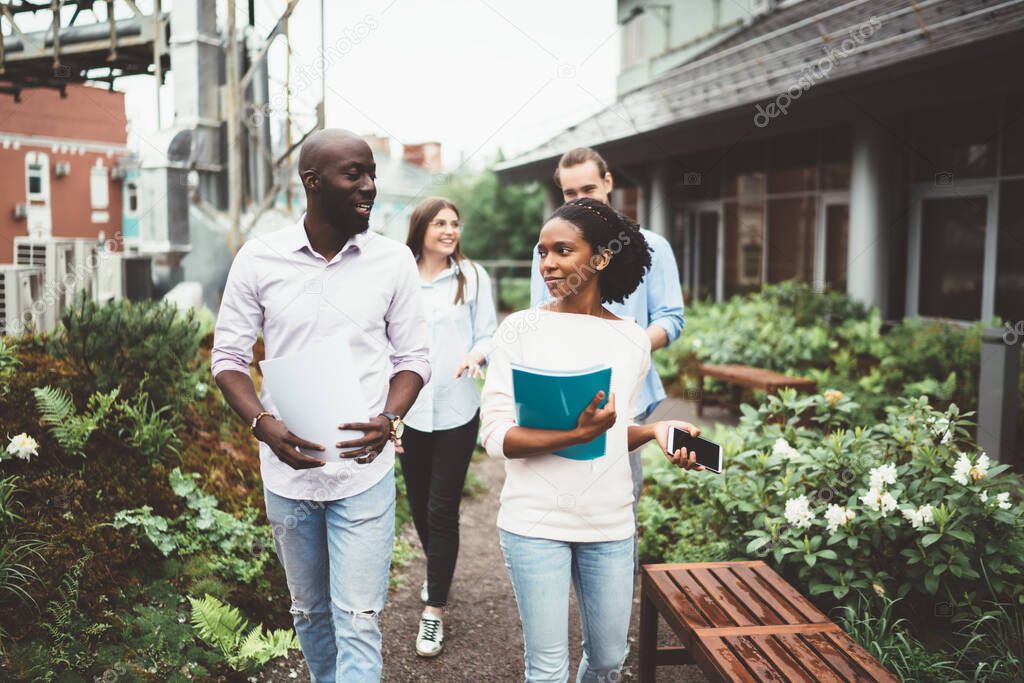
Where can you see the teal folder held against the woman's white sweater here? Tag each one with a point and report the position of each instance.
(554, 400)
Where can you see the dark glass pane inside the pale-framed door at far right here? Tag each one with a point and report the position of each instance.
(953, 257)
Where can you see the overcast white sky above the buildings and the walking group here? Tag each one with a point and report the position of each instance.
(474, 75)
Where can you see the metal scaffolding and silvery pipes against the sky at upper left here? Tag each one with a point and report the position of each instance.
(222, 98)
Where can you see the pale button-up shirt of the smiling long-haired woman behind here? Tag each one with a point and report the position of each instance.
(455, 330)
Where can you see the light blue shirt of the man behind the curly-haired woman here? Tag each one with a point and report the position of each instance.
(659, 301)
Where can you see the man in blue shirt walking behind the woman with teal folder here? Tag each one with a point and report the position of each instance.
(657, 305)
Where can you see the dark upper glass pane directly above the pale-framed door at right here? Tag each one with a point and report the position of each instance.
(958, 141)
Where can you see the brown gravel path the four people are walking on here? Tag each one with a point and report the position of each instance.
(484, 639)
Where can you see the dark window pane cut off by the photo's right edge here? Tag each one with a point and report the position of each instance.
(1010, 259)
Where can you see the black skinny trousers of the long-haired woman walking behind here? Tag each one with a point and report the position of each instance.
(435, 466)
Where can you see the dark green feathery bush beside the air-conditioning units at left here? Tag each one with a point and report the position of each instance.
(126, 345)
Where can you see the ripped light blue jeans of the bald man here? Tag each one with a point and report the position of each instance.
(336, 557)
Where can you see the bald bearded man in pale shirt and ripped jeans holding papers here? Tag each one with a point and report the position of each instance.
(323, 280)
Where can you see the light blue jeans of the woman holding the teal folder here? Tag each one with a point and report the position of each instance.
(603, 574)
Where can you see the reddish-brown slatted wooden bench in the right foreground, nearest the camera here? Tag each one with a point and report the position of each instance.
(742, 622)
